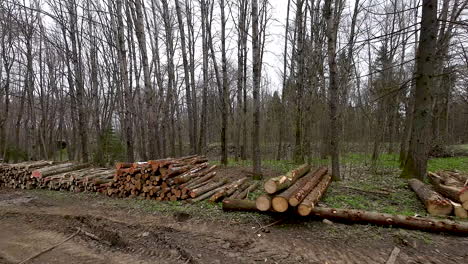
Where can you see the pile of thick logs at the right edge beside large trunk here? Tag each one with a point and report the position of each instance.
(448, 193)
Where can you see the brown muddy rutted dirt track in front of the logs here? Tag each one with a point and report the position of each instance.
(31, 222)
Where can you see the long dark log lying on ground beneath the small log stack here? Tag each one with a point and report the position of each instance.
(367, 217)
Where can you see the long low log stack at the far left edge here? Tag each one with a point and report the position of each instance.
(55, 176)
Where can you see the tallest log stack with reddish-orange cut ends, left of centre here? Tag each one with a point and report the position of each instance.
(174, 179)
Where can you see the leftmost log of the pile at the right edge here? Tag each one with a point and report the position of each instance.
(434, 202)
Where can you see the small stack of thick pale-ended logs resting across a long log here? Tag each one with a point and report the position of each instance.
(300, 188)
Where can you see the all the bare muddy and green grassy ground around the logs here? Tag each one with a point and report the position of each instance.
(141, 231)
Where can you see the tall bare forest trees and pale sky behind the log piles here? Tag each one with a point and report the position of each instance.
(128, 80)
